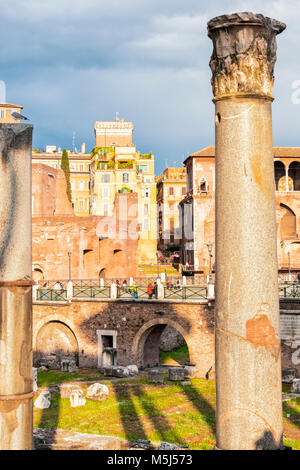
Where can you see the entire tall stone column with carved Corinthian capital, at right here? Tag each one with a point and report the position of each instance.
(248, 363)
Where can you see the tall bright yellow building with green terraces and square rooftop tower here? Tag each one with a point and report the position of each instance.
(116, 166)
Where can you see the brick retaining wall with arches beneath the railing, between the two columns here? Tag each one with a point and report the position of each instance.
(136, 325)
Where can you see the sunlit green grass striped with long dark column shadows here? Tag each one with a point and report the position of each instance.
(136, 409)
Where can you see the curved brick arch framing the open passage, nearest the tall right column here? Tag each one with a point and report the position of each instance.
(146, 330)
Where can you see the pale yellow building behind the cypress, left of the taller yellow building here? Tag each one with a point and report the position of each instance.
(79, 176)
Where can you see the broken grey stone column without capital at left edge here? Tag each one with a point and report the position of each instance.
(16, 381)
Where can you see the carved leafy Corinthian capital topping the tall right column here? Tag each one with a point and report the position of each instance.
(244, 54)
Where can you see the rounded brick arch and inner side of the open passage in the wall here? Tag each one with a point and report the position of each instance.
(145, 348)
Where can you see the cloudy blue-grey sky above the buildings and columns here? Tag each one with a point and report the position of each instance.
(72, 62)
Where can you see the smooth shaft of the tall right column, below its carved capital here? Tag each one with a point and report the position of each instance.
(248, 365)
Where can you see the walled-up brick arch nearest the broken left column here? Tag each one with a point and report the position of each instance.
(56, 342)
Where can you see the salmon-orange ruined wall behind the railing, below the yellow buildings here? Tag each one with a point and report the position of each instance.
(100, 246)
